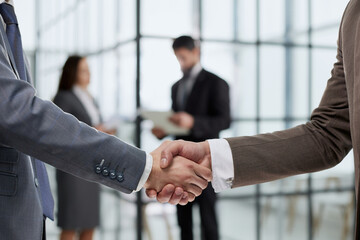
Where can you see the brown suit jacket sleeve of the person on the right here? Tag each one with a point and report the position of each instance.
(319, 144)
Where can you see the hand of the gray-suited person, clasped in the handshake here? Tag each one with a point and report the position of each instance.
(181, 174)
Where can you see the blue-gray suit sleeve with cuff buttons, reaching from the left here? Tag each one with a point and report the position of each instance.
(40, 129)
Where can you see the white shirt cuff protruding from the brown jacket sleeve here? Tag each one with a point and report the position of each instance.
(222, 164)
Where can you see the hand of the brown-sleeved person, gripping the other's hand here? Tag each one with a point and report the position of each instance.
(197, 152)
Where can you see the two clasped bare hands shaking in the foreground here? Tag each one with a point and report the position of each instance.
(180, 171)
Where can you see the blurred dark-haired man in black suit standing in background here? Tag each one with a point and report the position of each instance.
(201, 102)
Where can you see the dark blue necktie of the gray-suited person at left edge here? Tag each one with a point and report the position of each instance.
(14, 37)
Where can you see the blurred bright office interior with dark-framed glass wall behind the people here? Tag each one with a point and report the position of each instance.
(276, 56)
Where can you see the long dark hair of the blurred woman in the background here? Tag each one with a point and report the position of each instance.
(68, 75)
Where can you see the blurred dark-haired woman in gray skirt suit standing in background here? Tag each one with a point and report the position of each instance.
(78, 200)
